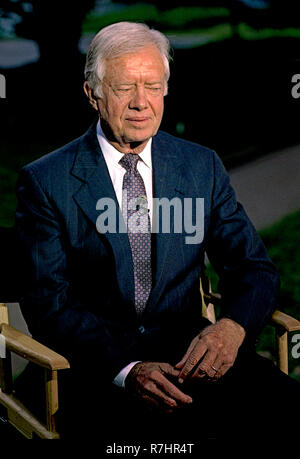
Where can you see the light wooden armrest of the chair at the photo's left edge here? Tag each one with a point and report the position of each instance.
(32, 350)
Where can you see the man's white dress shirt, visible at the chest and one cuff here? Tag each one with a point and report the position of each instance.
(112, 157)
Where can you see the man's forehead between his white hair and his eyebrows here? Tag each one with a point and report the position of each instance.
(144, 61)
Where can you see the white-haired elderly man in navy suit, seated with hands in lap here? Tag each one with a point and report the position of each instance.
(119, 297)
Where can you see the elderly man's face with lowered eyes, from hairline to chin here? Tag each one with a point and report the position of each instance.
(133, 98)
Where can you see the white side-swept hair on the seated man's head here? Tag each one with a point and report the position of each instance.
(118, 39)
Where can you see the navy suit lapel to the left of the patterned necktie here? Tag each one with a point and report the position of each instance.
(90, 168)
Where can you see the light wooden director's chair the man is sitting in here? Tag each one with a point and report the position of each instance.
(12, 340)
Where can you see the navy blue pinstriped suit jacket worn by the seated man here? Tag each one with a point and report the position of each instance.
(79, 295)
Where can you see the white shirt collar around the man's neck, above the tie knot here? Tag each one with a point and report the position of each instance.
(113, 156)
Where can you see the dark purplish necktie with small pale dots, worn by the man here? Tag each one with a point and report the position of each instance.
(135, 211)
